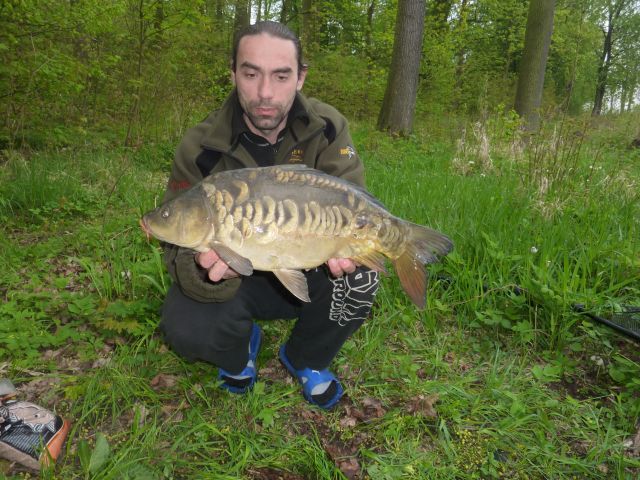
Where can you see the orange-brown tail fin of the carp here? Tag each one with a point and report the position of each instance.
(423, 247)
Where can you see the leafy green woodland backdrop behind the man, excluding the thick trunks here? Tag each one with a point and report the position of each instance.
(152, 67)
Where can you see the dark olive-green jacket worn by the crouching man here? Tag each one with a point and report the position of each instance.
(316, 135)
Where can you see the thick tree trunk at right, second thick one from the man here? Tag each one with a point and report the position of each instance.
(534, 61)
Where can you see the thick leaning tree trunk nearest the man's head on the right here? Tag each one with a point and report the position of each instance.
(399, 101)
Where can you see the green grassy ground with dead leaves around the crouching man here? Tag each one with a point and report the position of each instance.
(489, 381)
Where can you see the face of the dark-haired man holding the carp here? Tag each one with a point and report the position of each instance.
(267, 80)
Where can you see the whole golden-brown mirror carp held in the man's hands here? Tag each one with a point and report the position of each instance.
(286, 219)
